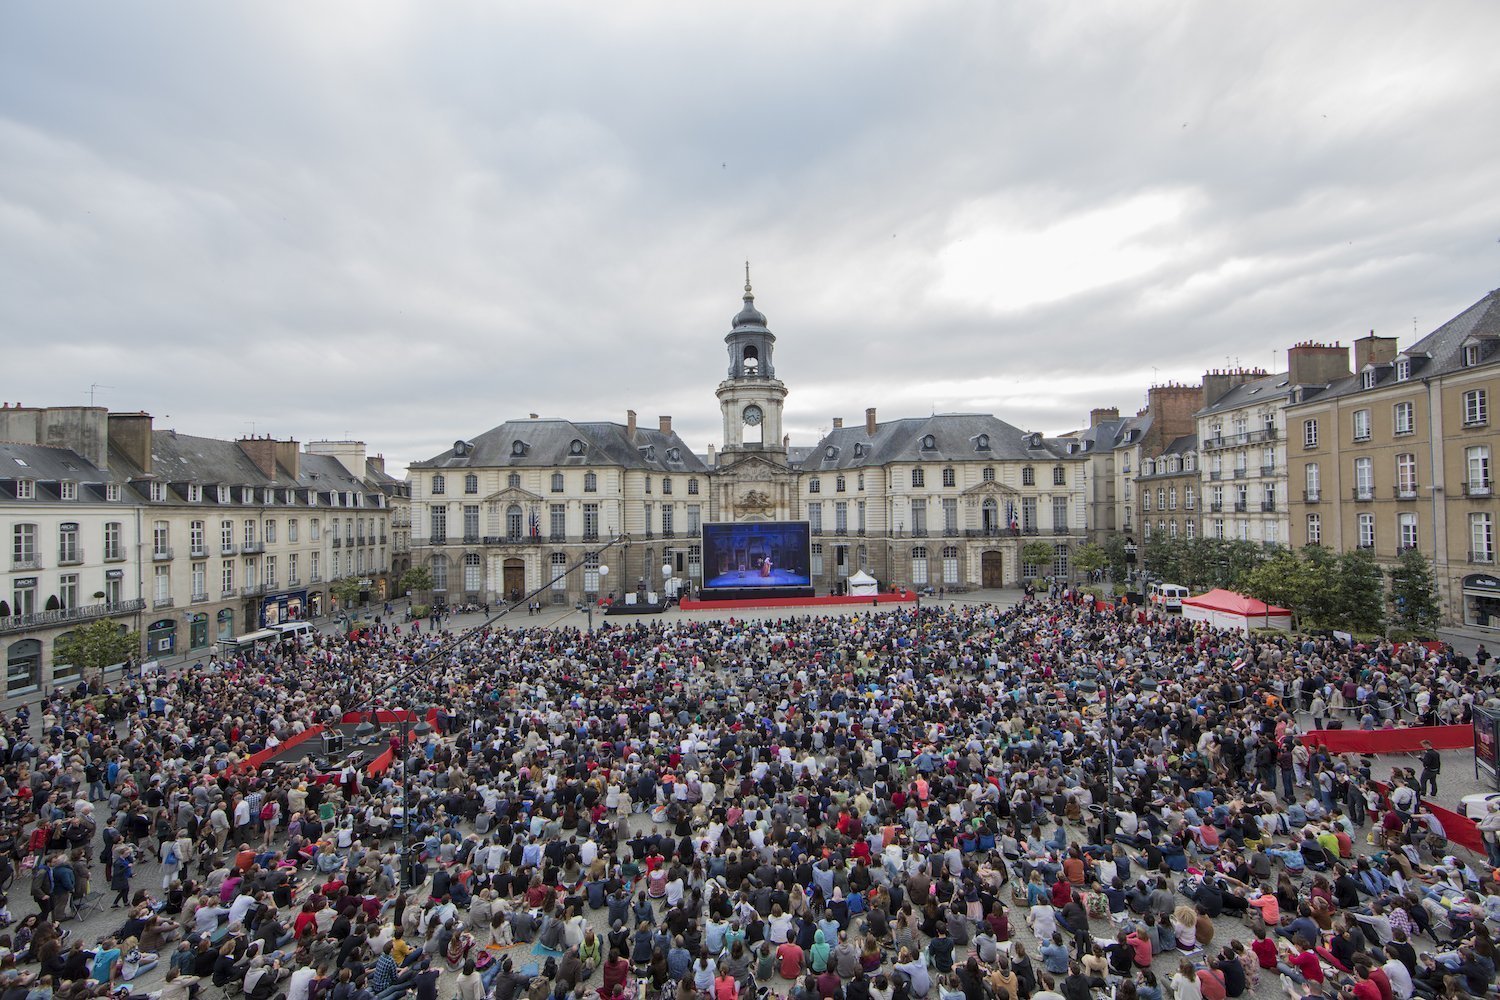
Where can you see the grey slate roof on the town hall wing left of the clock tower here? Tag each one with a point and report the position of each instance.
(550, 445)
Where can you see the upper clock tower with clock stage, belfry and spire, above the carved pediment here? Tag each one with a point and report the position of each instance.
(751, 398)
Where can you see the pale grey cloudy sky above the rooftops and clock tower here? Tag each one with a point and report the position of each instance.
(407, 223)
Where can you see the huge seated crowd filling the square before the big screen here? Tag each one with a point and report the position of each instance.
(964, 803)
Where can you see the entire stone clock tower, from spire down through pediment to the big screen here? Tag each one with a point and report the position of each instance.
(754, 481)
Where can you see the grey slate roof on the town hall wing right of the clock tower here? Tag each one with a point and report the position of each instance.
(956, 439)
